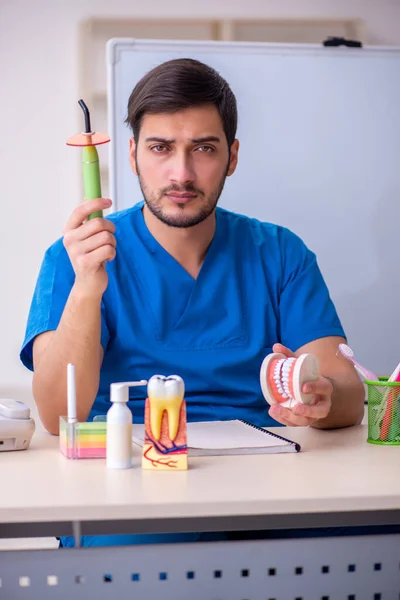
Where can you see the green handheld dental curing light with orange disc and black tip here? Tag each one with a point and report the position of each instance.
(88, 140)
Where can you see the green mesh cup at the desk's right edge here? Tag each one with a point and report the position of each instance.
(383, 412)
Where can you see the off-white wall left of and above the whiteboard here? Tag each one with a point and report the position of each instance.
(40, 175)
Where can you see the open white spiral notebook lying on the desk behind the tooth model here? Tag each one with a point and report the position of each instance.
(216, 438)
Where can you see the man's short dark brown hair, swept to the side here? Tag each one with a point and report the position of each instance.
(179, 84)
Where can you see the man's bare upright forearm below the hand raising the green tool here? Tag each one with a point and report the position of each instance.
(76, 340)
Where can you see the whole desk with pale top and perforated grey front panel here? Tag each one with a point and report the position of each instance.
(337, 479)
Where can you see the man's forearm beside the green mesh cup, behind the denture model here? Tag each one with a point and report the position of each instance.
(347, 403)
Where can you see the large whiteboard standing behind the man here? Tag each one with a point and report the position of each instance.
(319, 132)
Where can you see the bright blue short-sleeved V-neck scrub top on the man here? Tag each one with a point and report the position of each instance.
(259, 284)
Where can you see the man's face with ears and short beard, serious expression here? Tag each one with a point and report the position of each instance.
(182, 160)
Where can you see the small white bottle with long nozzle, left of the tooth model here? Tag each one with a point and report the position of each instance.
(119, 426)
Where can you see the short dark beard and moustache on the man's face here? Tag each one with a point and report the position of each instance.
(208, 205)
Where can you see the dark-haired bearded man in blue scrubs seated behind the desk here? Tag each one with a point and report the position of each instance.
(176, 284)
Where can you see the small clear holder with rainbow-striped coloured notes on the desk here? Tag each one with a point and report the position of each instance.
(83, 440)
